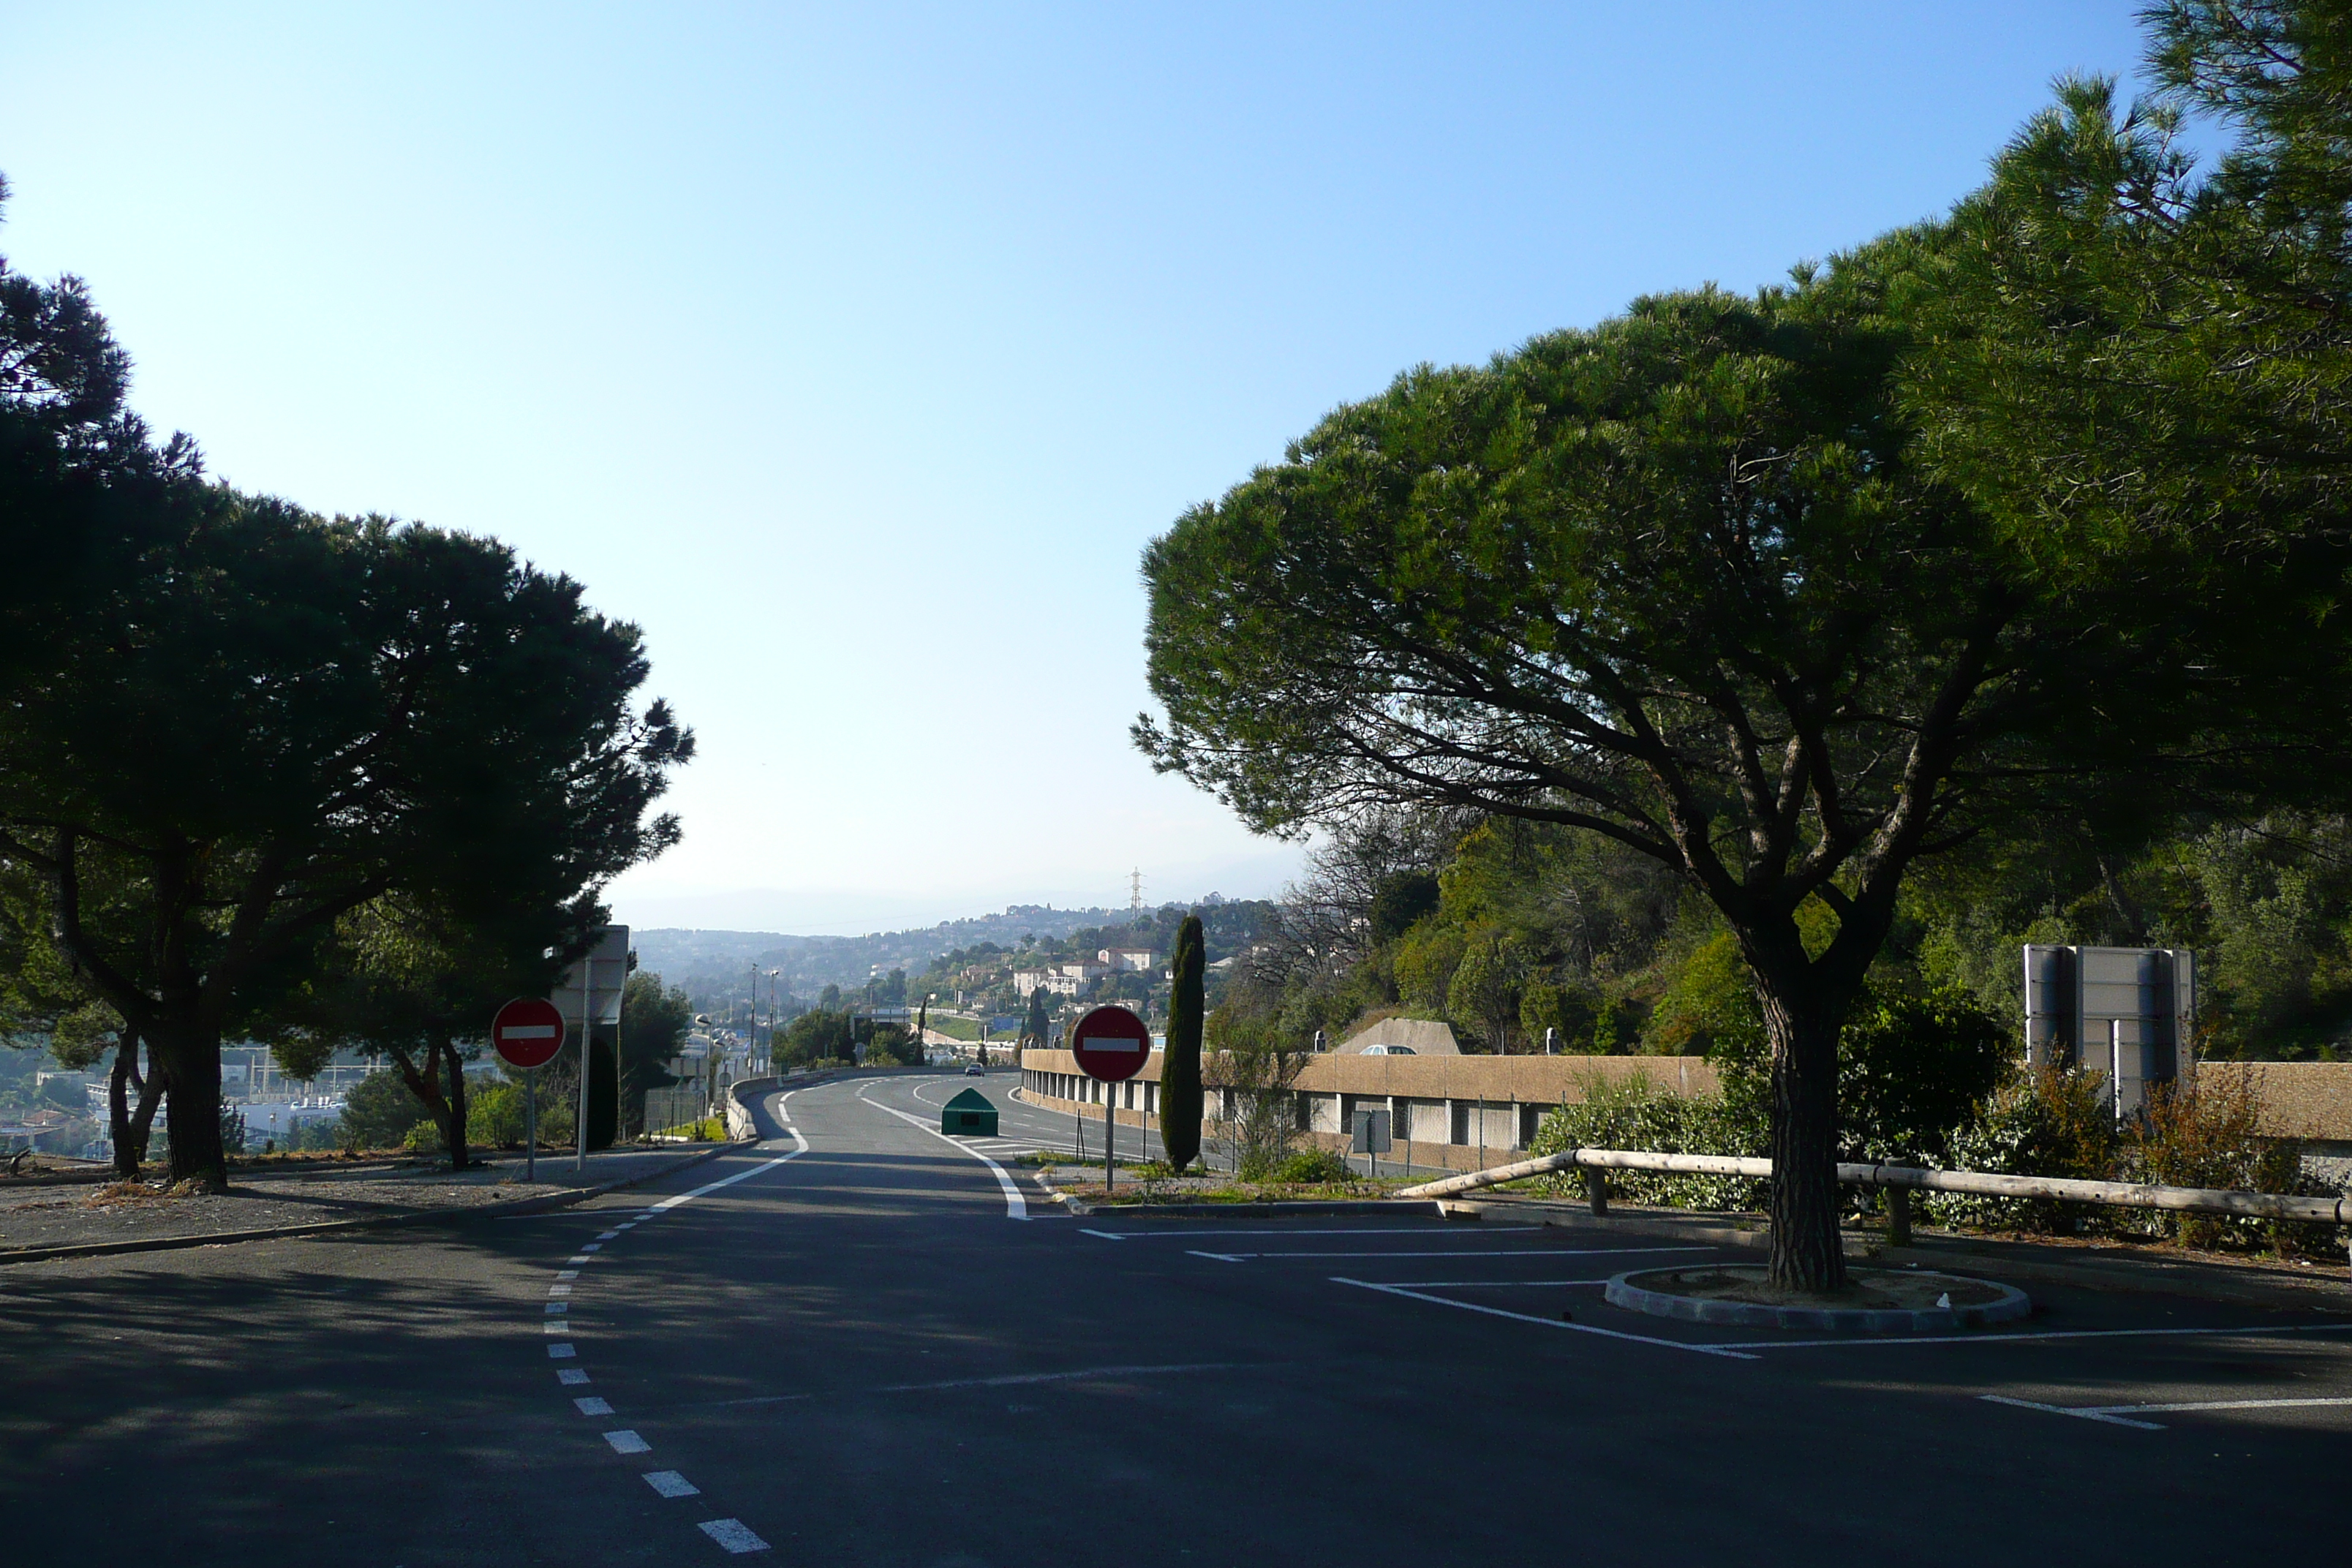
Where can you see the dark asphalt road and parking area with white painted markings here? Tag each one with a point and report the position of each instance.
(855, 1353)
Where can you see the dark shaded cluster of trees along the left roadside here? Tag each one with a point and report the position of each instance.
(265, 775)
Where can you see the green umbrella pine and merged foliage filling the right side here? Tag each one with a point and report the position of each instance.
(1977, 587)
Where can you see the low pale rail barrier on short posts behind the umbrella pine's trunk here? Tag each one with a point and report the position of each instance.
(1916, 1179)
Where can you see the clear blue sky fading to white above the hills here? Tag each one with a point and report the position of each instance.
(857, 351)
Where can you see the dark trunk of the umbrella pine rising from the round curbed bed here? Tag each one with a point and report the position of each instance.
(1803, 1024)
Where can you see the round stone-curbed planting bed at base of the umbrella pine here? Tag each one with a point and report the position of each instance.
(1880, 1301)
